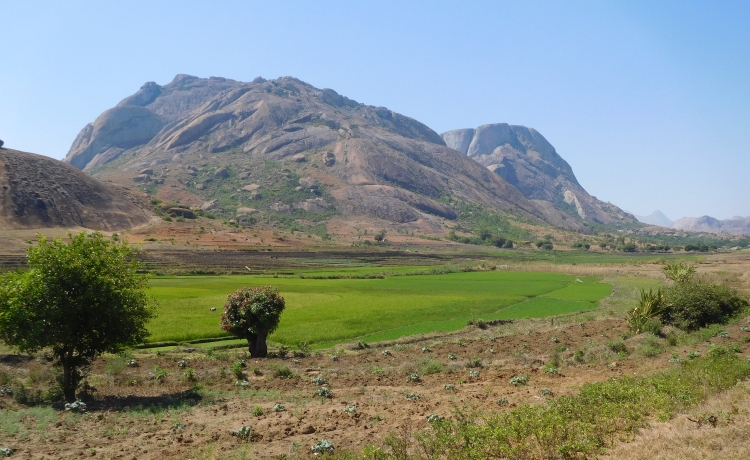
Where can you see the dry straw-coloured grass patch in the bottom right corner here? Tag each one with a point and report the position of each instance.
(683, 439)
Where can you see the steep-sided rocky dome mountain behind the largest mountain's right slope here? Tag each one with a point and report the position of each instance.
(525, 159)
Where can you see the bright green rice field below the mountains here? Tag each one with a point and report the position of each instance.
(321, 310)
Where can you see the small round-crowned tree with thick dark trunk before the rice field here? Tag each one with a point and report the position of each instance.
(253, 313)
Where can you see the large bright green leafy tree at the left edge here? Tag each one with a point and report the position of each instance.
(79, 299)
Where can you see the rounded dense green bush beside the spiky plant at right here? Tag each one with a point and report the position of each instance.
(692, 305)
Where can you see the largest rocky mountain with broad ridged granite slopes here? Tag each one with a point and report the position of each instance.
(284, 151)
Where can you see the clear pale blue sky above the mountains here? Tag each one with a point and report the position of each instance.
(649, 101)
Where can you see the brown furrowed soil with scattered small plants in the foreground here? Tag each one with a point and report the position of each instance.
(136, 415)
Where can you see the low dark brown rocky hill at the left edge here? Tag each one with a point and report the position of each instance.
(39, 192)
